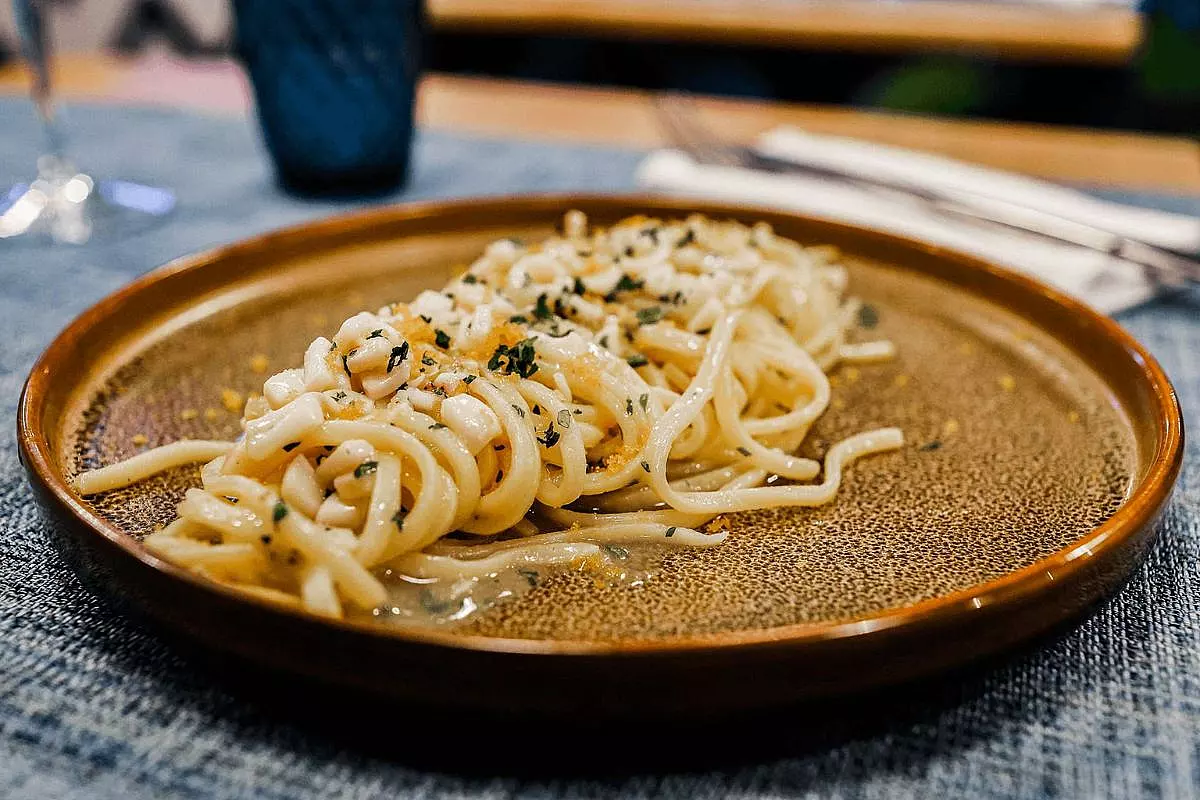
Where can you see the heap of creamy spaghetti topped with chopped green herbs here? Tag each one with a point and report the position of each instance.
(559, 400)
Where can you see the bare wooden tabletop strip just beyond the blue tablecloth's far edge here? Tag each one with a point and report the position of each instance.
(627, 118)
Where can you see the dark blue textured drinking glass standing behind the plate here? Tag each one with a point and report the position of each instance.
(335, 83)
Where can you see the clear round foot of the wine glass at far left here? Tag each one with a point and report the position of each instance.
(73, 208)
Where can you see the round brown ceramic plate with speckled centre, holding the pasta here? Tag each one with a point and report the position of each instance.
(1043, 443)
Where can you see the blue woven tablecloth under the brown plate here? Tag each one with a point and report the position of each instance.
(94, 706)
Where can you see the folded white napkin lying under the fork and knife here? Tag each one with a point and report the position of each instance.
(1109, 285)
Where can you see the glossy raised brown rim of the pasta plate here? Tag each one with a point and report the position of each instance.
(1137, 512)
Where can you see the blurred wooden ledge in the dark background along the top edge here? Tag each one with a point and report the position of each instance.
(1011, 31)
